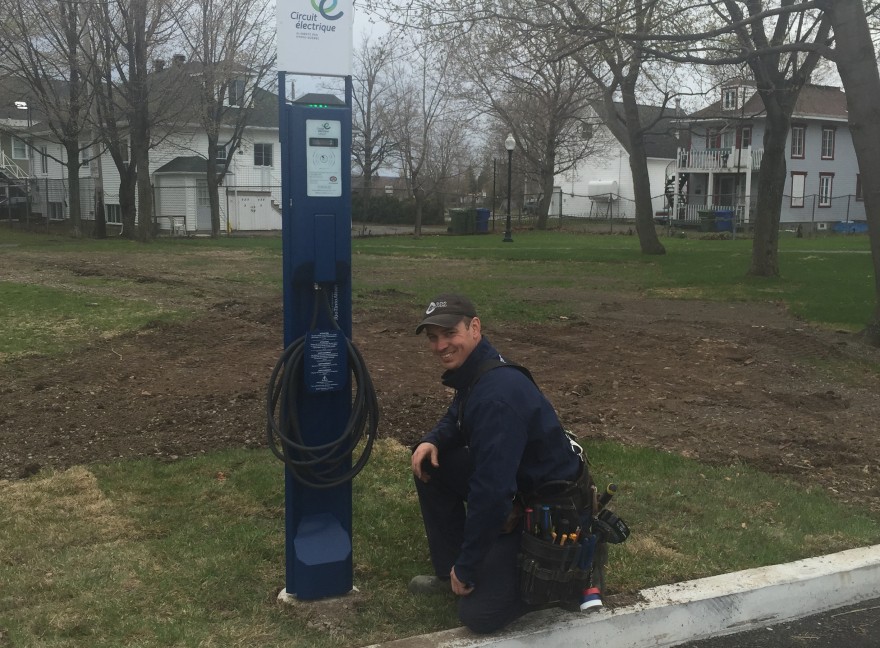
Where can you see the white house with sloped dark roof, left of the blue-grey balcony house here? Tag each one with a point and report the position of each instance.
(601, 186)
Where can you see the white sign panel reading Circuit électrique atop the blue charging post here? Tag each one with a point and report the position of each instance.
(315, 36)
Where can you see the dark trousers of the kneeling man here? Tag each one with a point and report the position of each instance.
(495, 601)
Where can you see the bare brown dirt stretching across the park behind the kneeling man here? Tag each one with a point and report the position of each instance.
(717, 382)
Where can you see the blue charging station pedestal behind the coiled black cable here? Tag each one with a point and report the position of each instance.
(315, 134)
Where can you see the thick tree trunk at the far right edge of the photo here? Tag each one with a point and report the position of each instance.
(861, 80)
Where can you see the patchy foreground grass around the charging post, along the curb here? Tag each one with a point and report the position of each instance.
(191, 553)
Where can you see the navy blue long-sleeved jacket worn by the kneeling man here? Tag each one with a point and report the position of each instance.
(516, 443)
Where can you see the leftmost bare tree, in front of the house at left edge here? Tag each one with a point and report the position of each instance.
(44, 50)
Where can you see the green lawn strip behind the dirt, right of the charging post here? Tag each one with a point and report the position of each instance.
(826, 280)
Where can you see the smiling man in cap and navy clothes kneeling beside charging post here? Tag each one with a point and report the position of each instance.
(499, 438)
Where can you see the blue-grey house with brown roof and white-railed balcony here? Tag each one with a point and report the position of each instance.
(718, 171)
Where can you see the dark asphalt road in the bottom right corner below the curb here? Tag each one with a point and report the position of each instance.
(855, 626)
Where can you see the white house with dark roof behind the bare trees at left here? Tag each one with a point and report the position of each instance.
(250, 196)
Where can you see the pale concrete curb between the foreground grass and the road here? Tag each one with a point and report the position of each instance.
(671, 615)
